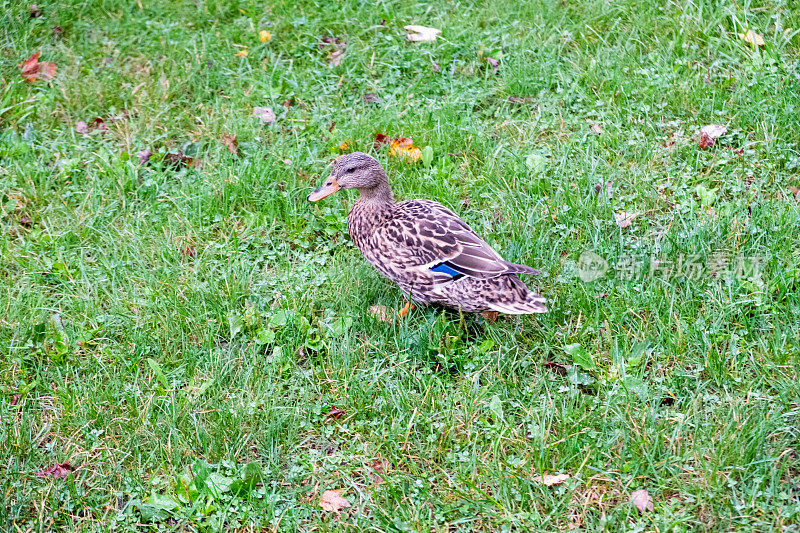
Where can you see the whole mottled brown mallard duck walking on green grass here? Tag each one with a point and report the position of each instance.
(425, 248)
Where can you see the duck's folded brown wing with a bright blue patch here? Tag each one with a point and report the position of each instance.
(427, 235)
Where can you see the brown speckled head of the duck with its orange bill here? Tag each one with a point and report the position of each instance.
(352, 171)
